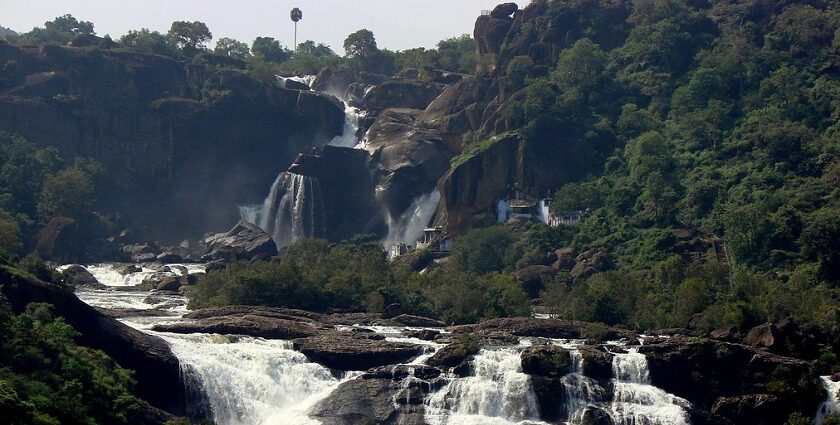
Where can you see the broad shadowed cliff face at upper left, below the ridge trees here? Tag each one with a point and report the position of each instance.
(160, 140)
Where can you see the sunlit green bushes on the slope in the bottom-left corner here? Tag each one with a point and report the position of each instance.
(45, 377)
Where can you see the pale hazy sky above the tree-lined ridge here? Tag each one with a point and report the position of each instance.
(397, 24)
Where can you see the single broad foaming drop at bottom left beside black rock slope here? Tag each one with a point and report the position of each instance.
(251, 381)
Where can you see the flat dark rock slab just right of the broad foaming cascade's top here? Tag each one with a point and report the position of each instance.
(344, 351)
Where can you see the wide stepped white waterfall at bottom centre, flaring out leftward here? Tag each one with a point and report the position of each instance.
(499, 393)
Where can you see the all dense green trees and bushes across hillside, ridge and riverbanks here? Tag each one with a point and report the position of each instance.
(710, 140)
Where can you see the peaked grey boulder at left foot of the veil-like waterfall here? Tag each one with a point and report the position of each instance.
(244, 241)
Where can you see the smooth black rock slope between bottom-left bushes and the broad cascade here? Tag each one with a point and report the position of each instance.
(157, 369)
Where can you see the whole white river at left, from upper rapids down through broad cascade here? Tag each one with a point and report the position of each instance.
(245, 381)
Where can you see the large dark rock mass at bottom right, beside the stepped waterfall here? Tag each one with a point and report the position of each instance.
(734, 381)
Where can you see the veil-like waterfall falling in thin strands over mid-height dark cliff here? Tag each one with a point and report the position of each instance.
(293, 209)
